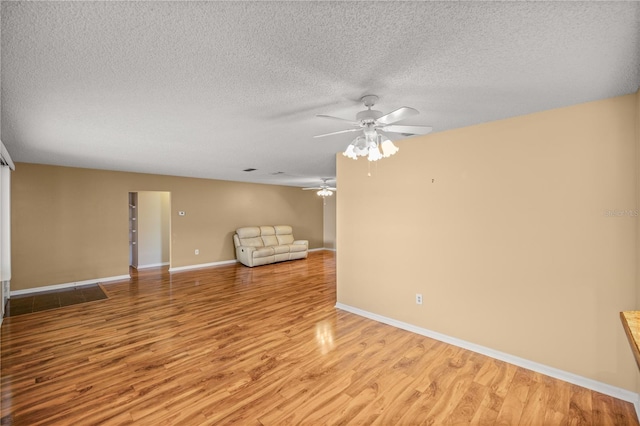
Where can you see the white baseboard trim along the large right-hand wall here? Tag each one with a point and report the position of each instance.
(585, 382)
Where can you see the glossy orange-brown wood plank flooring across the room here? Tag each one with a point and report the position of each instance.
(262, 346)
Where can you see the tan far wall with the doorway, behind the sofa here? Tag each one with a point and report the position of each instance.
(71, 224)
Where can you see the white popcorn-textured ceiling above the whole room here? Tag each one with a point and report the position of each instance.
(207, 89)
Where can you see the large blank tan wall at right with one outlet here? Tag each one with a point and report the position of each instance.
(503, 229)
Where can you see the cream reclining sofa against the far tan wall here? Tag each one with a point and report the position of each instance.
(260, 245)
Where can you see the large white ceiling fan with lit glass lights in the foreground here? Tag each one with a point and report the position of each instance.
(377, 130)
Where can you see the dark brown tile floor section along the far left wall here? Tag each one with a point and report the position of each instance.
(20, 305)
